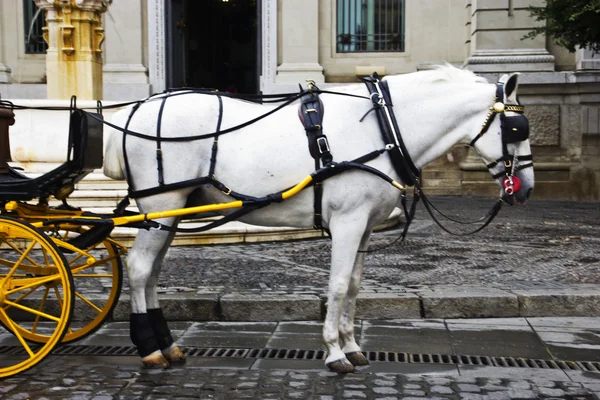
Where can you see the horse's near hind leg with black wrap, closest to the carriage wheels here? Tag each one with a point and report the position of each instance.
(146, 253)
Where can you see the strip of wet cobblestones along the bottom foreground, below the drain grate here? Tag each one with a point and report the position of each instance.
(127, 382)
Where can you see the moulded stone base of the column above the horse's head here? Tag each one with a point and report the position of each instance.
(510, 61)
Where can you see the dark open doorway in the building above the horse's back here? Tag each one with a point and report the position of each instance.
(221, 46)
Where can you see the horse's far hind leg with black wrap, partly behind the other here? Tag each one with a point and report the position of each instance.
(161, 330)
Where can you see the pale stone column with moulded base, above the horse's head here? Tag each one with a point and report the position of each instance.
(496, 31)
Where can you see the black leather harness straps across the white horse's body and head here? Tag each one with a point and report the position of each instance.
(514, 129)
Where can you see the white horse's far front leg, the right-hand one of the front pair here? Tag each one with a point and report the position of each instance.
(351, 348)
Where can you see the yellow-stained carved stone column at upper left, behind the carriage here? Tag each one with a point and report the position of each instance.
(74, 35)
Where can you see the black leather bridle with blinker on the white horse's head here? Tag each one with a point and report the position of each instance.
(514, 128)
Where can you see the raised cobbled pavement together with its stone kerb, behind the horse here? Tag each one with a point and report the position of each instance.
(535, 261)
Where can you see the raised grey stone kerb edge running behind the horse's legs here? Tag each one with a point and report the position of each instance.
(430, 302)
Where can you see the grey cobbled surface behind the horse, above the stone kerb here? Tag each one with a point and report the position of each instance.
(546, 243)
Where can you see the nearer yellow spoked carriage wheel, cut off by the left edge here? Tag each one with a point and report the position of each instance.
(35, 295)
